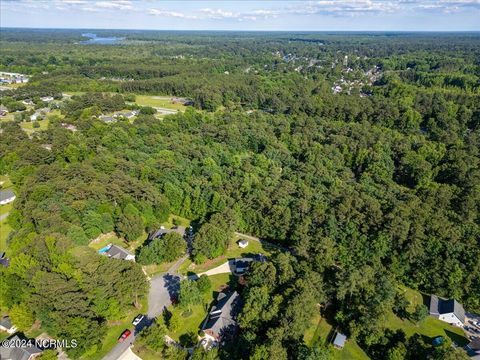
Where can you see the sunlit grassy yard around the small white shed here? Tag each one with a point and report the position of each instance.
(233, 251)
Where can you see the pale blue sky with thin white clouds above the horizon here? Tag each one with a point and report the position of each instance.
(346, 15)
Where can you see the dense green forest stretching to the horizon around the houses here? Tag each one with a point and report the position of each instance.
(372, 187)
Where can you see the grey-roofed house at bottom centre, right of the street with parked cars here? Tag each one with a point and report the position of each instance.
(221, 319)
